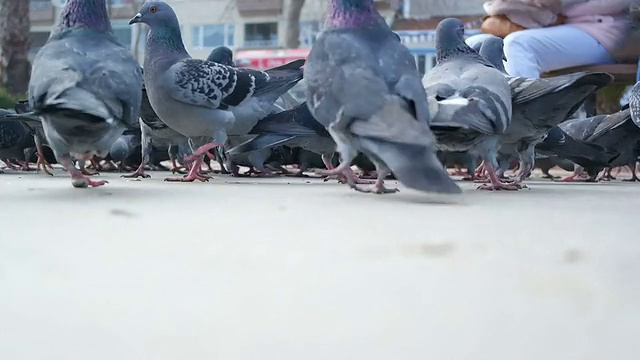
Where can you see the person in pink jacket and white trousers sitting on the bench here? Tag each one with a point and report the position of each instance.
(559, 34)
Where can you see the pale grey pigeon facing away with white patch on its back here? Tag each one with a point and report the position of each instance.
(470, 100)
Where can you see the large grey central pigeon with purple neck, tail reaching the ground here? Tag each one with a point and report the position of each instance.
(364, 87)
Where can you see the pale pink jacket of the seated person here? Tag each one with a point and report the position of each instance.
(606, 20)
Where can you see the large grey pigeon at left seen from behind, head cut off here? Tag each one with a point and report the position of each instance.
(84, 87)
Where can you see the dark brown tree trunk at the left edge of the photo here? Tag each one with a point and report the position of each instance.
(15, 28)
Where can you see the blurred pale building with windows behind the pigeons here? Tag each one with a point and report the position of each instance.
(256, 29)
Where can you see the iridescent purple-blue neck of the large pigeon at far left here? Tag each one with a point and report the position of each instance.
(90, 14)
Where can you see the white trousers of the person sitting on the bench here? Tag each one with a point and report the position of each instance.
(534, 51)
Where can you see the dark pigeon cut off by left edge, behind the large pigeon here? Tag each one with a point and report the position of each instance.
(15, 139)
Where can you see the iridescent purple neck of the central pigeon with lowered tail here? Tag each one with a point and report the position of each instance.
(352, 14)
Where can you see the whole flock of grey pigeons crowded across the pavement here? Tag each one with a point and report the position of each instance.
(92, 107)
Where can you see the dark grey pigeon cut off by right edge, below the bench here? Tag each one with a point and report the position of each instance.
(616, 133)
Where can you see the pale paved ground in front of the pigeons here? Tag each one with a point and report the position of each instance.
(300, 269)
